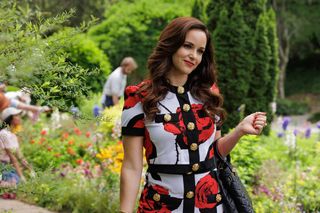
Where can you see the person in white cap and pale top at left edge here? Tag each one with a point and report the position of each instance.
(10, 154)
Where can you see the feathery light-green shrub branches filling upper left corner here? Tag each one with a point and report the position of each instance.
(27, 59)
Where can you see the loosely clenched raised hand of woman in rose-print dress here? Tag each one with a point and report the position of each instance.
(252, 124)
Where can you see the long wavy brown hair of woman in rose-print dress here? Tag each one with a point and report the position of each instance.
(160, 62)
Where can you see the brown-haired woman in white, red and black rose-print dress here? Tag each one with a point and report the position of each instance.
(176, 117)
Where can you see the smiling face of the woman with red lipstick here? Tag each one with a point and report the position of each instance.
(189, 55)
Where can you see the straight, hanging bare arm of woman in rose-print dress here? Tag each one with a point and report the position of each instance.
(131, 172)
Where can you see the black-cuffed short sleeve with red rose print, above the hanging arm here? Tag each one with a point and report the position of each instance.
(132, 119)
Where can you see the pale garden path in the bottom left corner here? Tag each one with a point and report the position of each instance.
(15, 206)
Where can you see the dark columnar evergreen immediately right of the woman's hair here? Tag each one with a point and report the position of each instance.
(233, 60)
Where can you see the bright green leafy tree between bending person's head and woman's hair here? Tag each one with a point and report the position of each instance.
(132, 29)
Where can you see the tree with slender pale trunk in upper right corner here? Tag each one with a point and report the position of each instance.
(298, 32)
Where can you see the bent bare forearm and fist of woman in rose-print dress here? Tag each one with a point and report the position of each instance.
(252, 124)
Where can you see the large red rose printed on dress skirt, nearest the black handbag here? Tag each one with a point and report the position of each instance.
(207, 186)
